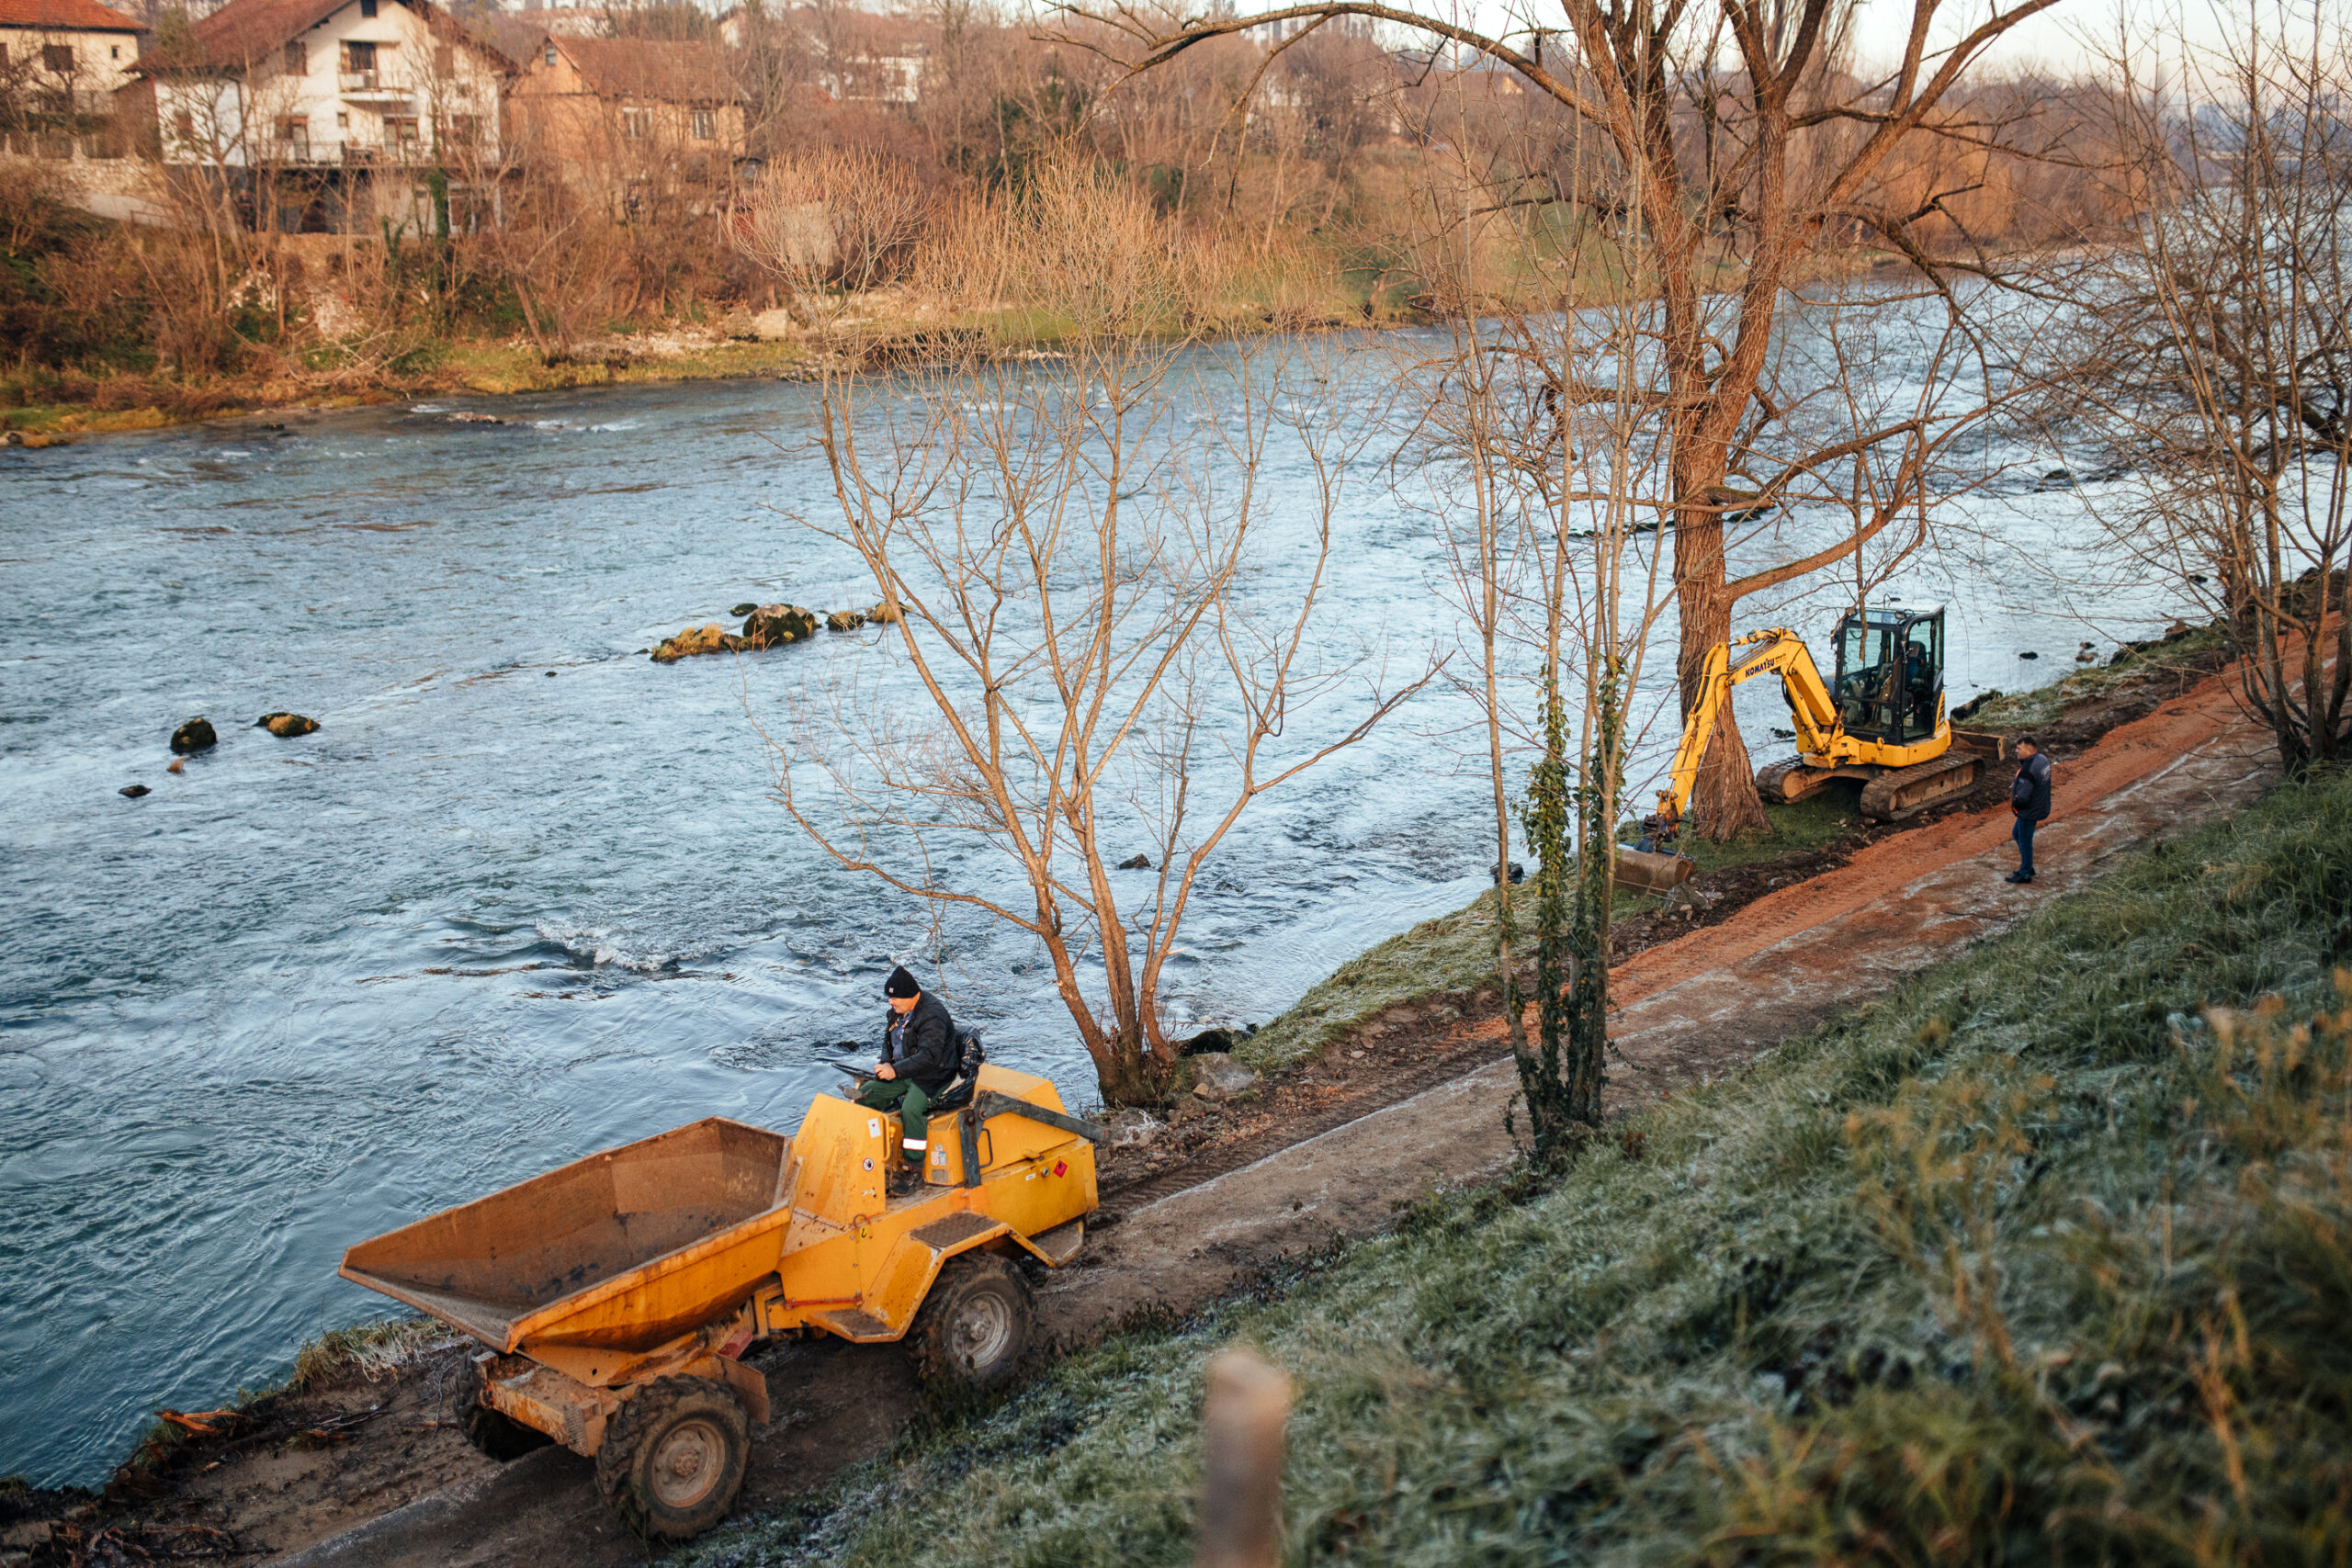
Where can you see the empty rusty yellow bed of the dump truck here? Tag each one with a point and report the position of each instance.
(622, 1252)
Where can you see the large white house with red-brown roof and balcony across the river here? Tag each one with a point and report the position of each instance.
(335, 114)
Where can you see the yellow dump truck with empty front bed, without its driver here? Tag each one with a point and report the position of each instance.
(615, 1299)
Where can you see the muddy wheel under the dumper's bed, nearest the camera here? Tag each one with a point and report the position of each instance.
(674, 1459)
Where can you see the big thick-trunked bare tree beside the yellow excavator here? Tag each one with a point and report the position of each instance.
(1739, 145)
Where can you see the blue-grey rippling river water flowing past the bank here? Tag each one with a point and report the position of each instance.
(526, 894)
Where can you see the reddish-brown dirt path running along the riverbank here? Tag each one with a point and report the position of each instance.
(1688, 1010)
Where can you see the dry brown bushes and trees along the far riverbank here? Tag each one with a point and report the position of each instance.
(1290, 170)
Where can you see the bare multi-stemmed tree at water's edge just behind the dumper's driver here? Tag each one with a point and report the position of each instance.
(1062, 551)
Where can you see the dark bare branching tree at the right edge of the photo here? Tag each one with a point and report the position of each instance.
(2212, 351)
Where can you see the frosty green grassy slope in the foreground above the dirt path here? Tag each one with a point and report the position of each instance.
(2026, 1264)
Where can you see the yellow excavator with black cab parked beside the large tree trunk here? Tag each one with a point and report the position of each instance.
(1878, 721)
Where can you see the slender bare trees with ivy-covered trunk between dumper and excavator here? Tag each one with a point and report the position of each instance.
(1549, 497)
